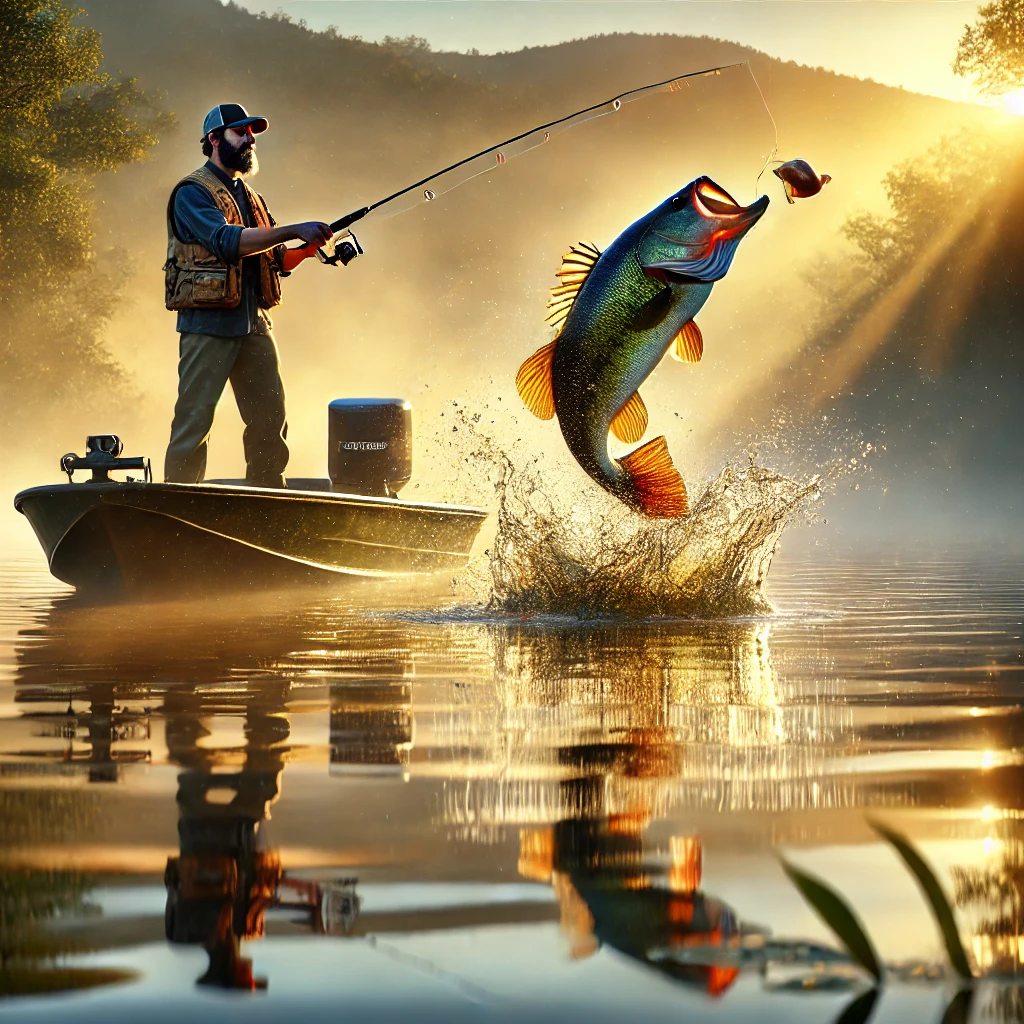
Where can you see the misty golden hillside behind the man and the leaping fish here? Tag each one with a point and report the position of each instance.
(450, 297)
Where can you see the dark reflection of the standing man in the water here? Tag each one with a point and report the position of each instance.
(223, 885)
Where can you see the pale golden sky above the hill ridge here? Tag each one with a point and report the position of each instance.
(909, 44)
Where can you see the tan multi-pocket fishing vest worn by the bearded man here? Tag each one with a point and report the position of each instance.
(195, 278)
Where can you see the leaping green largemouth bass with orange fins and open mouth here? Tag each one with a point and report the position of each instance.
(618, 314)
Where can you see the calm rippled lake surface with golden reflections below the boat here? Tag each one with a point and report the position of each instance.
(294, 806)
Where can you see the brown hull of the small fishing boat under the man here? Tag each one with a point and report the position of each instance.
(140, 537)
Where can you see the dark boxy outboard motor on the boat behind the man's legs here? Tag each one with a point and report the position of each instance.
(371, 446)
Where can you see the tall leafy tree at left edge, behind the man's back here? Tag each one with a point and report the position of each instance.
(63, 121)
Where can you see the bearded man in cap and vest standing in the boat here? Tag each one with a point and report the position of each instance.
(226, 258)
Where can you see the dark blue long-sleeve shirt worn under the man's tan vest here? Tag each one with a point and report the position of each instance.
(198, 219)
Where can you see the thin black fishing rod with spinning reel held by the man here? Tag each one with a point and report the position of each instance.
(345, 247)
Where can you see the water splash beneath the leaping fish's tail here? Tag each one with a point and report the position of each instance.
(591, 564)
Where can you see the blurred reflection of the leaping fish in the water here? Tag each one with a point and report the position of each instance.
(614, 889)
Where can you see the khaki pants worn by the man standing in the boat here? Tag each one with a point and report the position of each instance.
(207, 364)
